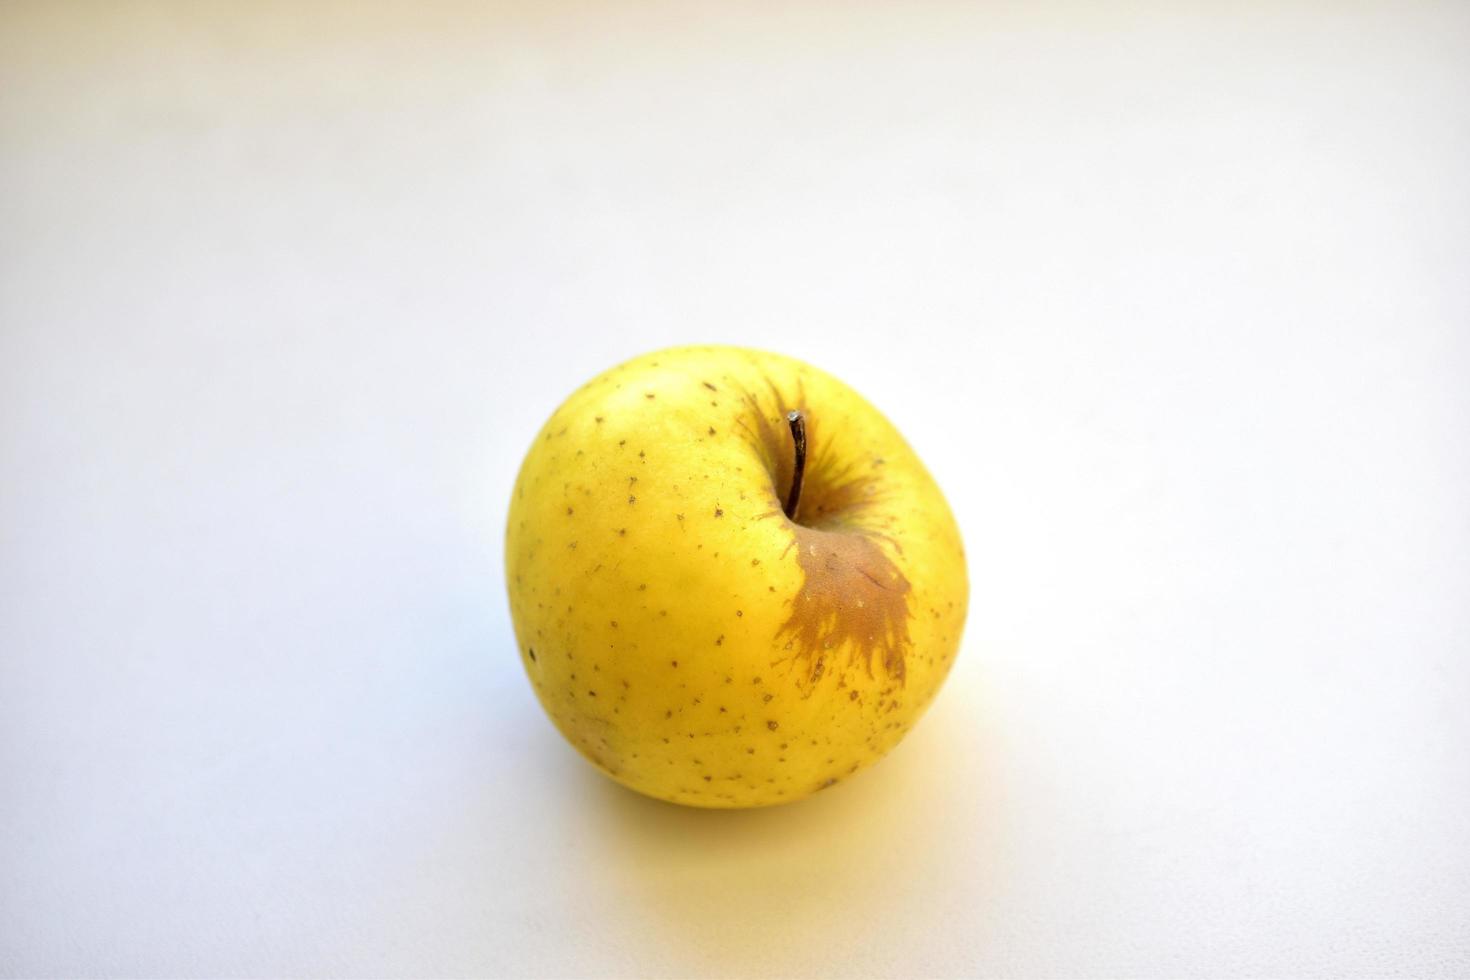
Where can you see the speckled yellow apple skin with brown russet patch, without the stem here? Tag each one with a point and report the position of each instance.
(687, 637)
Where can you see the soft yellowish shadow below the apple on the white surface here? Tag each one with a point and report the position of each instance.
(746, 893)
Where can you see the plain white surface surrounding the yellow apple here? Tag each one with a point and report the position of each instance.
(1175, 302)
